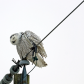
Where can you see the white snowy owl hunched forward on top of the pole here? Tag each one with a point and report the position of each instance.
(23, 42)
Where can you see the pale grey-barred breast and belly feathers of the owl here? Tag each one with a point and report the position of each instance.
(23, 48)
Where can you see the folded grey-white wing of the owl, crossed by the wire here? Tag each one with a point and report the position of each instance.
(32, 36)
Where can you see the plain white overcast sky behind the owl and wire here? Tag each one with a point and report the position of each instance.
(64, 47)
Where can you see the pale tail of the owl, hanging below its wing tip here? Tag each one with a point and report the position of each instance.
(40, 62)
